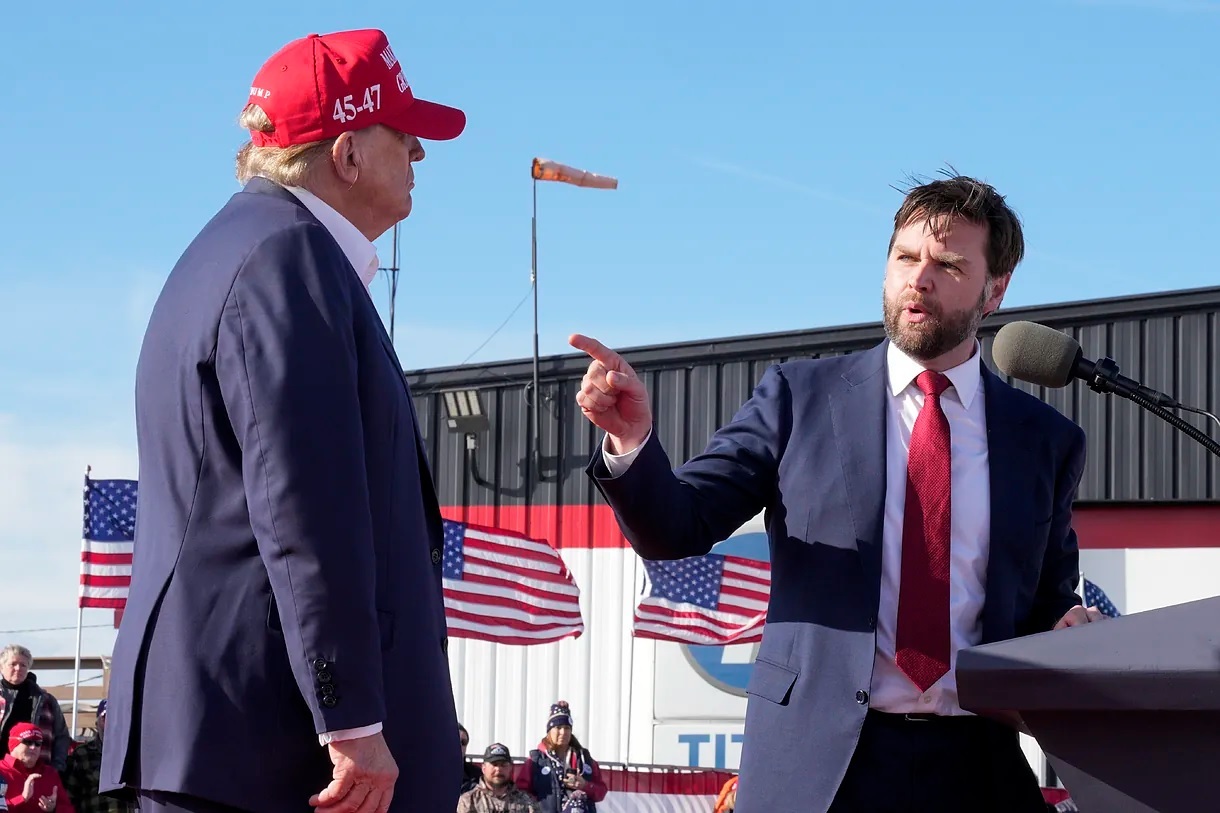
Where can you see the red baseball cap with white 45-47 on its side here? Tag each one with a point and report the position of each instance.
(326, 85)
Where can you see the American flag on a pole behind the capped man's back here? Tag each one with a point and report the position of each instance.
(107, 543)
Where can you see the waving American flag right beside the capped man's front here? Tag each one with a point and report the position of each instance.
(506, 588)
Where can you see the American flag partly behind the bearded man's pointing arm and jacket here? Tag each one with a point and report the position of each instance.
(711, 600)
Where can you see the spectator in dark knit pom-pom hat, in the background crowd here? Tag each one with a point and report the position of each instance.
(561, 767)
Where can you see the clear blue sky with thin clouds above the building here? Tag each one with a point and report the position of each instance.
(756, 152)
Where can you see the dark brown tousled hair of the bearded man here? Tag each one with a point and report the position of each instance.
(957, 196)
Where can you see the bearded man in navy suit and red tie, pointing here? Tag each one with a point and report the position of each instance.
(916, 506)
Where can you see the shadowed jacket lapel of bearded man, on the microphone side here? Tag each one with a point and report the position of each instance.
(1010, 464)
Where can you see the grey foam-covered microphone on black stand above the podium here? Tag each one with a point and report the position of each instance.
(1042, 356)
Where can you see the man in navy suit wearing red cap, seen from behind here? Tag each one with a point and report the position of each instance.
(285, 638)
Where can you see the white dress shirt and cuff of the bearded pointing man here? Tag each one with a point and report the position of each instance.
(971, 506)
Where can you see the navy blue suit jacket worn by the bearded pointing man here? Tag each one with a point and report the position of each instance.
(809, 447)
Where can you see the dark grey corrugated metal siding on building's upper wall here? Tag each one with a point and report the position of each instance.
(1171, 342)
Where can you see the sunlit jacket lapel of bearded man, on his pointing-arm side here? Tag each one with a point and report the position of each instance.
(858, 411)
